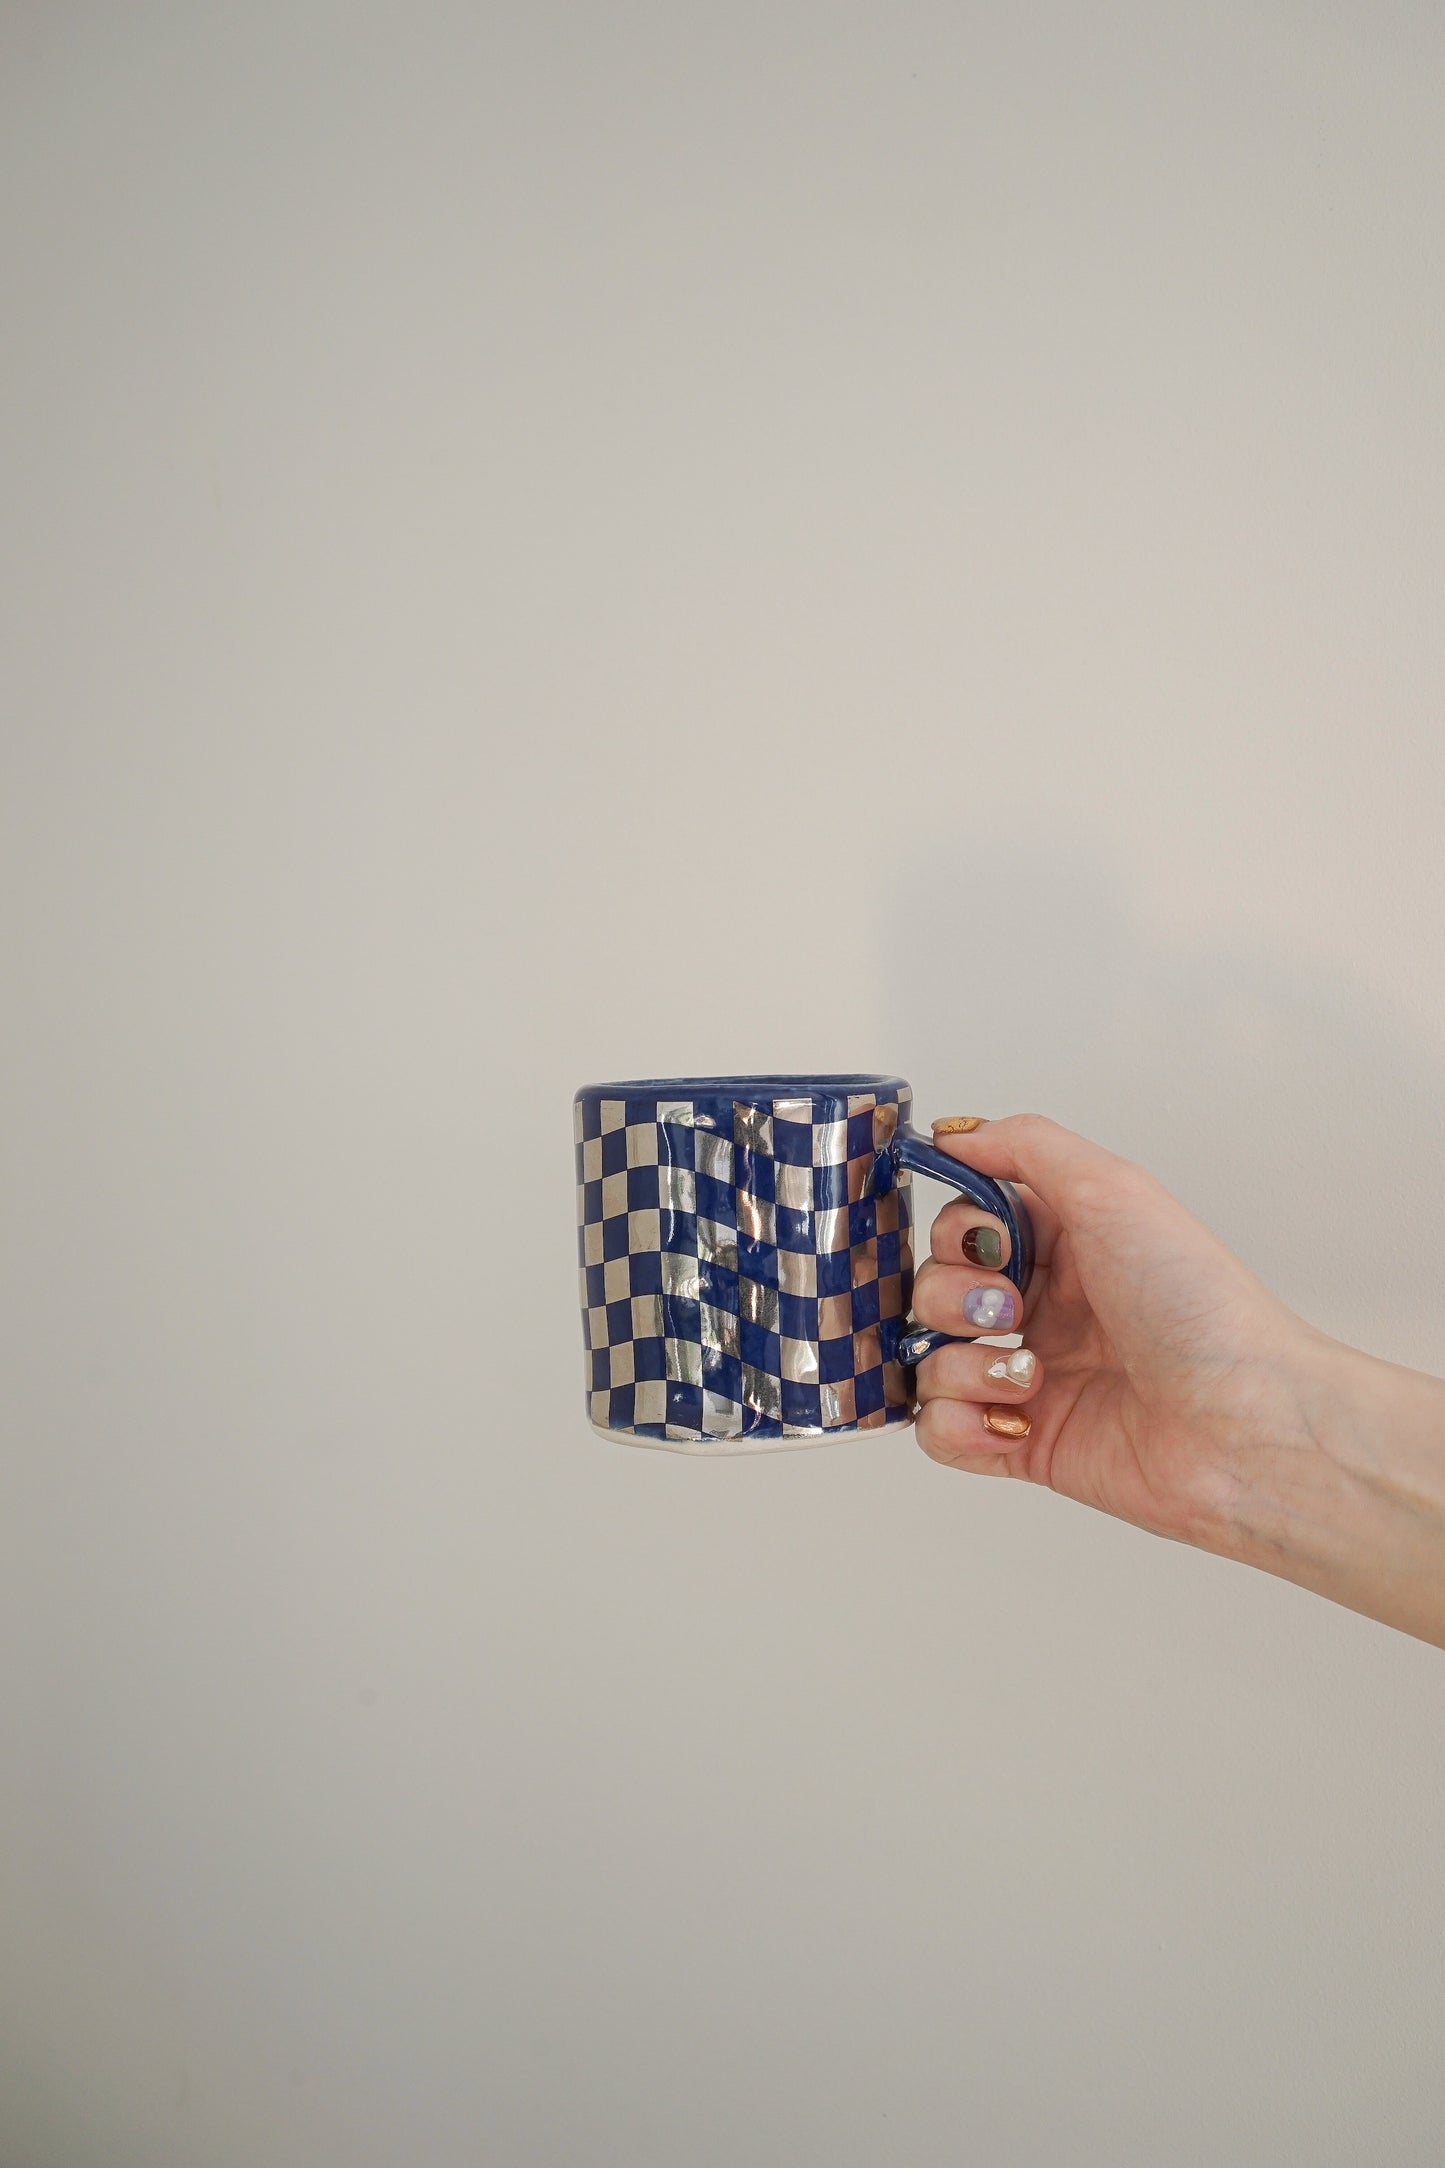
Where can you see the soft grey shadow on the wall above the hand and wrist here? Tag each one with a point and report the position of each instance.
(1288, 1105)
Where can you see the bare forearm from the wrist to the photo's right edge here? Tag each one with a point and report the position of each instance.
(1355, 1510)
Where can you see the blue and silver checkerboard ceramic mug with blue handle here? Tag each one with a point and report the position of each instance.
(746, 1261)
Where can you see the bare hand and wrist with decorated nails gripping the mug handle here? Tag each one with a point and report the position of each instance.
(1177, 1393)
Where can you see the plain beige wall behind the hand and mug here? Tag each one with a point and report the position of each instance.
(634, 539)
